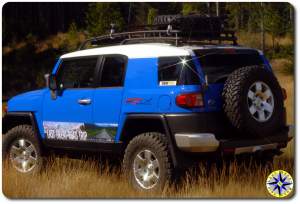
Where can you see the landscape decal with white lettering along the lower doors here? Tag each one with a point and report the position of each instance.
(98, 132)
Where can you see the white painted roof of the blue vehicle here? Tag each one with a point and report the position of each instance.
(134, 51)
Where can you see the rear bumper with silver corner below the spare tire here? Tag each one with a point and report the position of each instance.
(207, 142)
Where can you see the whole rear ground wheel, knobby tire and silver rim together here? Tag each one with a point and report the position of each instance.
(147, 163)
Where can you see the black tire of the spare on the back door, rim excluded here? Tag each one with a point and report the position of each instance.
(236, 106)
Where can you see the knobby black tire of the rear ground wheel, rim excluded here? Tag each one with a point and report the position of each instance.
(155, 142)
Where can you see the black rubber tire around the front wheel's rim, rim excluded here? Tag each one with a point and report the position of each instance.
(22, 132)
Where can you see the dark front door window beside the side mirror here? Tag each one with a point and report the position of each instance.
(77, 73)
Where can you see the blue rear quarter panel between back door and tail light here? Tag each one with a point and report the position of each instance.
(144, 95)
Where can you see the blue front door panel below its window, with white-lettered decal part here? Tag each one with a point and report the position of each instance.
(64, 117)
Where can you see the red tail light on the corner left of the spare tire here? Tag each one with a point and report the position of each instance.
(190, 100)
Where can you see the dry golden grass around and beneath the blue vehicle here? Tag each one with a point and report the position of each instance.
(70, 178)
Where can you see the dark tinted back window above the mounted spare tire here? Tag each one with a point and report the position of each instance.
(219, 63)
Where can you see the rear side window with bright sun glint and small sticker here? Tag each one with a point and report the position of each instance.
(177, 71)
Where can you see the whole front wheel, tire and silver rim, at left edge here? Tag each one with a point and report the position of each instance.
(22, 150)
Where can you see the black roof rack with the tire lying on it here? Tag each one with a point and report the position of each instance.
(180, 30)
